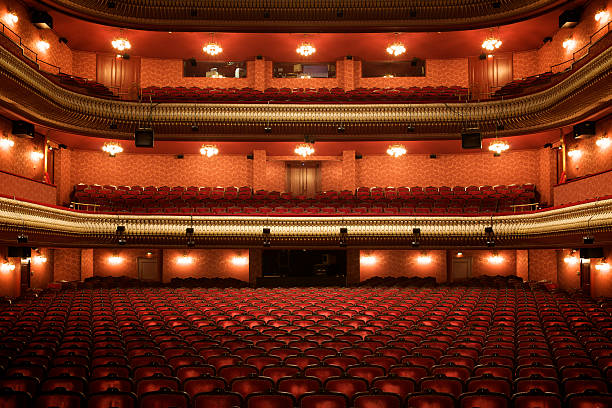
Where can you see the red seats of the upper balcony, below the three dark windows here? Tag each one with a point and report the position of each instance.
(323, 95)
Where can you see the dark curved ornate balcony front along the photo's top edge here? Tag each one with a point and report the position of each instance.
(304, 15)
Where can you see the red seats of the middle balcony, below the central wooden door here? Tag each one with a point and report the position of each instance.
(365, 200)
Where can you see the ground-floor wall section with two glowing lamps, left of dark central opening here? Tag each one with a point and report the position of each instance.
(211, 263)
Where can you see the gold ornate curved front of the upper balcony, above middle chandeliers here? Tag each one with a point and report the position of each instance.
(30, 93)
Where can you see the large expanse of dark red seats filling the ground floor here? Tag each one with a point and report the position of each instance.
(341, 347)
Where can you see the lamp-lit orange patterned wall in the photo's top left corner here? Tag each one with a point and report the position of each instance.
(58, 54)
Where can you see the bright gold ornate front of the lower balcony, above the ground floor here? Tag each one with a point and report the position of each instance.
(53, 226)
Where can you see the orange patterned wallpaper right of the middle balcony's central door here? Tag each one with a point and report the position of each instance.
(448, 169)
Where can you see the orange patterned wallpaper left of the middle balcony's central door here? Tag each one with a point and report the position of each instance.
(151, 169)
